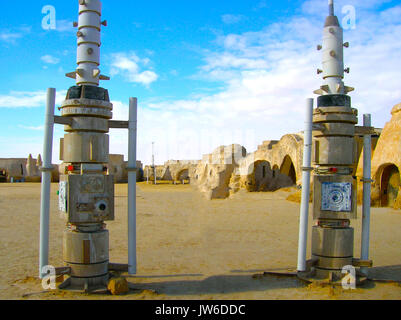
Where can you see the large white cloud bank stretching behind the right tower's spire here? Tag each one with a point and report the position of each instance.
(267, 76)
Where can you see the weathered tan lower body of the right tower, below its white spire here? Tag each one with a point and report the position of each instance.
(334, 188)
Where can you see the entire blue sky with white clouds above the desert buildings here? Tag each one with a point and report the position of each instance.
(206, 73)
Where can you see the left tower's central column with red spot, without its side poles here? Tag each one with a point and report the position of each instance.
(86, 190)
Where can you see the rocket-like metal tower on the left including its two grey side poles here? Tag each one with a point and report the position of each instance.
(86, 192)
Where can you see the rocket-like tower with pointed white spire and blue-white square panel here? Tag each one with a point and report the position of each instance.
(335, 158)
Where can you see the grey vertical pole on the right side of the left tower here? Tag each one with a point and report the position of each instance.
(132, 170)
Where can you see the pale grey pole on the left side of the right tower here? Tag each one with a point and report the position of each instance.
(304, 211)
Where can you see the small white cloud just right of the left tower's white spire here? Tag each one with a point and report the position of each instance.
(129, 66)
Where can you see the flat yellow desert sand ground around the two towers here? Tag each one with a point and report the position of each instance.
(190, 247)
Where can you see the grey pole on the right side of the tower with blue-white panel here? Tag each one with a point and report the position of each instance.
(367, 150)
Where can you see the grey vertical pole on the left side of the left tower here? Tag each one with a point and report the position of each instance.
(46, 181)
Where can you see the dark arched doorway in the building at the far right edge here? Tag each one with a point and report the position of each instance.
(389, 185)
